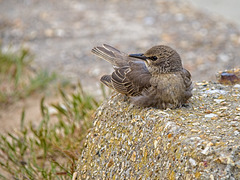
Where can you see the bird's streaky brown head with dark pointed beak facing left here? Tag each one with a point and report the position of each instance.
(162, 59)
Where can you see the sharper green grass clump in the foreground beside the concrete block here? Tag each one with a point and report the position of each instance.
(49, 150)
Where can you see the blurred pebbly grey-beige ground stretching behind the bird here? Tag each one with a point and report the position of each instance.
(61, 34)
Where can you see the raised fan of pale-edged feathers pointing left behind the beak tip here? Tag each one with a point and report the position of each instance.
(112, 55)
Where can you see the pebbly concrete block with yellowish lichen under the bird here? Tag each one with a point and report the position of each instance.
(198, 141)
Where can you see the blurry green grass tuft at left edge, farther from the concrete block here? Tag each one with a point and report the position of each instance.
(17, 78)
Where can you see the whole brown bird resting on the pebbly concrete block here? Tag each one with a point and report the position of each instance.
(155, 78)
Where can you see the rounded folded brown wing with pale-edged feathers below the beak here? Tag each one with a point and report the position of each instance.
(131, 80)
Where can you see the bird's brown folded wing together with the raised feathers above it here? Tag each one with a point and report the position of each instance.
(130, 77)
